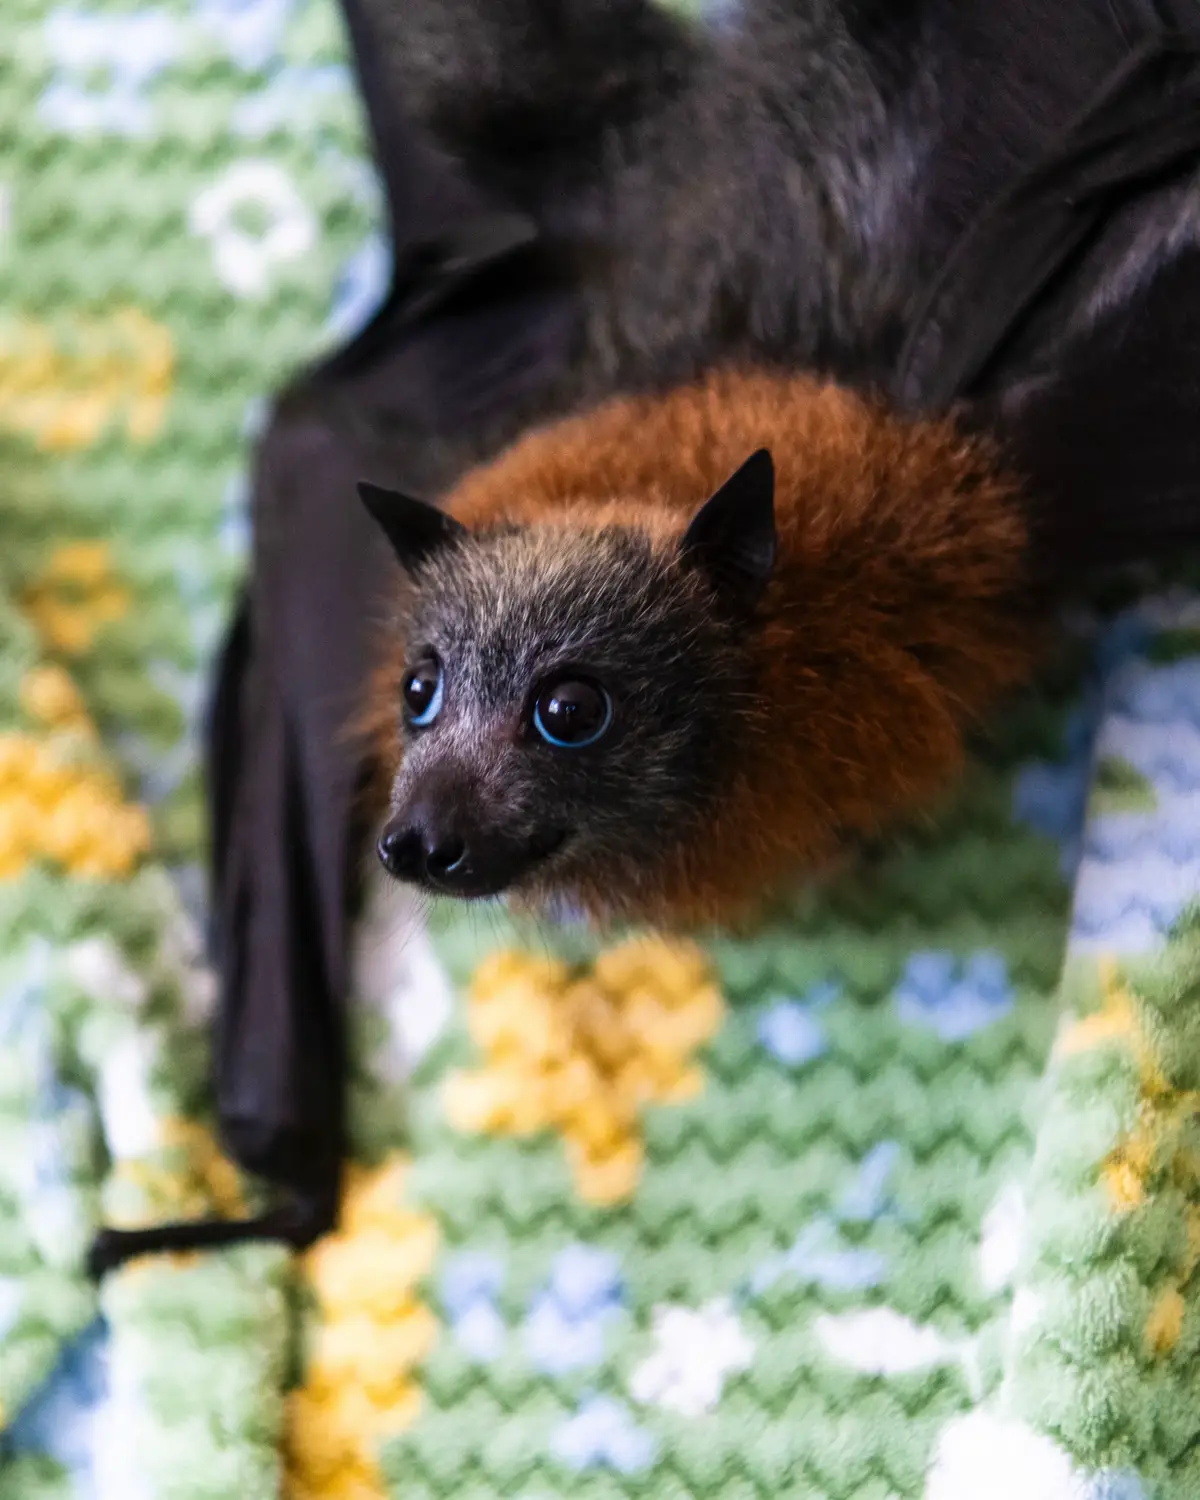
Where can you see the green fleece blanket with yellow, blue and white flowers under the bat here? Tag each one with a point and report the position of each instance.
(898, 1199)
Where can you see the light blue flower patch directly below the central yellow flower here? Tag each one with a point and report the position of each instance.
(568, 1321)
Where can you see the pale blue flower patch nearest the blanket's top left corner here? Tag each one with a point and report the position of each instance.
(103, 70)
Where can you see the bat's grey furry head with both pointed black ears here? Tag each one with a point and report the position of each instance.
(569, 697)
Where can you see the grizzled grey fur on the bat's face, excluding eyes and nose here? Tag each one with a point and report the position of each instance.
(506, 611)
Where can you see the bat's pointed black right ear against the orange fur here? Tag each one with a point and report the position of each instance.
(733, 536)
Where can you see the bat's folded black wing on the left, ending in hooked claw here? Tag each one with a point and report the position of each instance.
(479, 320)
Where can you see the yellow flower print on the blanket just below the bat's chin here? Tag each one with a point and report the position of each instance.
(584, 1054)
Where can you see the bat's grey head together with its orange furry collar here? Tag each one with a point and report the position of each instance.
(659, 659)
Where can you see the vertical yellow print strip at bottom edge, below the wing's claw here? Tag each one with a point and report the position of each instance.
(371, 1337)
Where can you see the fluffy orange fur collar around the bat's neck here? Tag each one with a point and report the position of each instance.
(895, 619)
